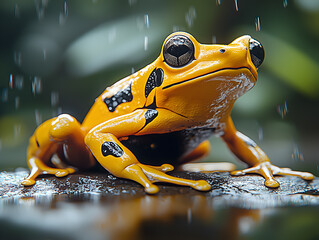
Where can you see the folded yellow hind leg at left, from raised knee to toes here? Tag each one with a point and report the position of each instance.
(63, 132)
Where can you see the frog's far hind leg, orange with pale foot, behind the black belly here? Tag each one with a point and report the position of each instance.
(202, 151)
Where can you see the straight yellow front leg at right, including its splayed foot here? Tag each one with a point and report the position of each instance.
(248, 151)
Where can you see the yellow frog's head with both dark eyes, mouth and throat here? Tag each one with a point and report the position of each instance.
(200, 74)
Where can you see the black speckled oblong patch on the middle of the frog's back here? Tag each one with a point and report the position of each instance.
(122, 96)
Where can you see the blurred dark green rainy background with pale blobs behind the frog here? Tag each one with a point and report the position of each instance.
(58, 56)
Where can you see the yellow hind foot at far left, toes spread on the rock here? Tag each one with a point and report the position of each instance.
(38, 168)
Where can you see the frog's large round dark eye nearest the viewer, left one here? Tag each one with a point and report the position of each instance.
(178, 51)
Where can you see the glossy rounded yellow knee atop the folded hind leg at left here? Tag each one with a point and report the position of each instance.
(63, 127)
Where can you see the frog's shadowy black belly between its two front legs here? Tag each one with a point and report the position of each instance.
(157, 149)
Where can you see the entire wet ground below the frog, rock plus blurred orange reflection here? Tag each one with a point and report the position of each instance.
(101, 206)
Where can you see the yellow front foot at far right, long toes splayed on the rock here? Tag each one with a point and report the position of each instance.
(267, 170)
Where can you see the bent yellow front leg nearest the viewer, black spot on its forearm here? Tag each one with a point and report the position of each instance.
(104, 143)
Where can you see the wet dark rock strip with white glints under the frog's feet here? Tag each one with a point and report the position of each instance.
(243, 191)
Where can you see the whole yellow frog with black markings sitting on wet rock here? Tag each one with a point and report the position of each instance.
(162, 116)
